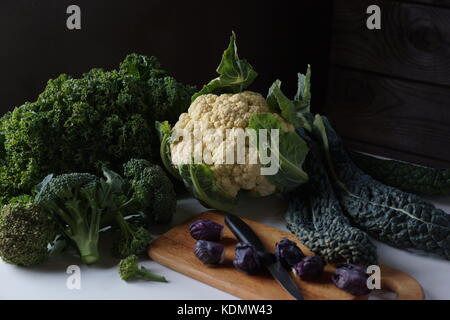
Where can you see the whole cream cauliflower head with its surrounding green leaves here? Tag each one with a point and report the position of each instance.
(198, 147)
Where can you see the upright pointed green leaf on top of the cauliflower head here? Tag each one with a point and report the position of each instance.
(234, 74)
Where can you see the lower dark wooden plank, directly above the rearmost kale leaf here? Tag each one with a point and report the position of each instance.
(411, 118)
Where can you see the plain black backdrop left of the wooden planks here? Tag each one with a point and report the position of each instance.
(279, 38)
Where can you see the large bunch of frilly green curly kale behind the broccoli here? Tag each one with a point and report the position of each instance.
(102, 119)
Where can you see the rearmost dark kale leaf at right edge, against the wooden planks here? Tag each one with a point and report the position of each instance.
(405, 176)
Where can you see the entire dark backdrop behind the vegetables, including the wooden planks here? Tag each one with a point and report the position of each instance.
(386, 91)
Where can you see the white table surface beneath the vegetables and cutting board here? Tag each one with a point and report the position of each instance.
(48, 281)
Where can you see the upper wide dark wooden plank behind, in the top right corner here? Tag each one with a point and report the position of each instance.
(413, 43)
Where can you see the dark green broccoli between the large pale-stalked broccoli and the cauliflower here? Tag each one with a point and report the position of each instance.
(145, 190)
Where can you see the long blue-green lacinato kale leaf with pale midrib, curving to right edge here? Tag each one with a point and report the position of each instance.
(388, 214)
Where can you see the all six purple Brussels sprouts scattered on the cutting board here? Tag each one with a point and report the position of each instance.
(350, 278)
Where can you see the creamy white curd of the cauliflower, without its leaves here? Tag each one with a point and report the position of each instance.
(227, 111)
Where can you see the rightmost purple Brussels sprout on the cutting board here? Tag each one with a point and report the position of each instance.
(352, 279)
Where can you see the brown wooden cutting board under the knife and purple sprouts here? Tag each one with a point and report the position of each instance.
(174, 249)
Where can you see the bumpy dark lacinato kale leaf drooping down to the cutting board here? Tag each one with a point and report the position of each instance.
(315, 216)
